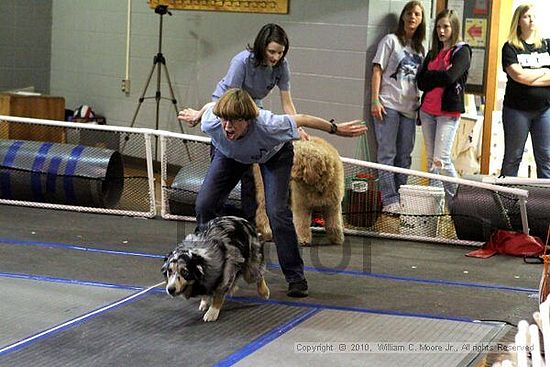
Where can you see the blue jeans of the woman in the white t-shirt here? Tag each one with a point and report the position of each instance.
(395, 139)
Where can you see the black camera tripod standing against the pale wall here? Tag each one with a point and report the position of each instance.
(159, 63)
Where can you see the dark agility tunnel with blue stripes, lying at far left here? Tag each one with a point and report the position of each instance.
(60, 173)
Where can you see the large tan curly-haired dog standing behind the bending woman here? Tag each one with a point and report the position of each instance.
(317, 183)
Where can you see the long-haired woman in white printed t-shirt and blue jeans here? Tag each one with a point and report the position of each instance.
(395, 98)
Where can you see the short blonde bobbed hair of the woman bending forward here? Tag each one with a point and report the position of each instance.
(236, 104)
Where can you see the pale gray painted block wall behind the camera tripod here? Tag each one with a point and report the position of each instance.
(331, 46)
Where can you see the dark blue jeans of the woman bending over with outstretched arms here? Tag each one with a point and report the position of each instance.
(224, 174)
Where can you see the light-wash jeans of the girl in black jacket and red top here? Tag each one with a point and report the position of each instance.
(439, 134)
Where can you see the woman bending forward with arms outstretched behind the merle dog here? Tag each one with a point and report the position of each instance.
(243, 134)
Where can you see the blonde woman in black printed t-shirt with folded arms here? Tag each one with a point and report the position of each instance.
(526, 61)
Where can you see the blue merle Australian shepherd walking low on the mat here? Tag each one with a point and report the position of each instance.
(208, 264)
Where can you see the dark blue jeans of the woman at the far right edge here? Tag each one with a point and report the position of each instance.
(517, 125)
